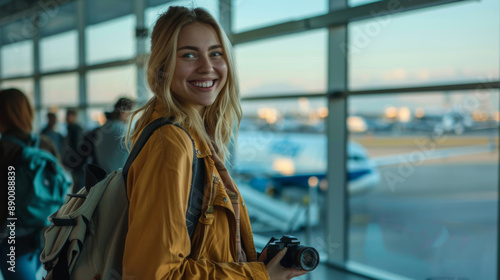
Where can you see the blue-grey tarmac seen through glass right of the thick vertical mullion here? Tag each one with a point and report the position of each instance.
(441, 222)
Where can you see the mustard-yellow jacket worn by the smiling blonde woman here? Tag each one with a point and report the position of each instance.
(157, 245)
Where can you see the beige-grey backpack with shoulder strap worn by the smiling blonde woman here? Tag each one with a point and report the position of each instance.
(87, 235)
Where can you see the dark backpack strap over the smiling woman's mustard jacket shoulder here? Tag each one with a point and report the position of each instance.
(197, 178)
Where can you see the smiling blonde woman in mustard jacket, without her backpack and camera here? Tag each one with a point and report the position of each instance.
(192, 75)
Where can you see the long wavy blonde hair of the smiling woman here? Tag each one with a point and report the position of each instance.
(219, 119)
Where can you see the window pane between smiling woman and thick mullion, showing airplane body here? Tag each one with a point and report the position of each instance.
(281, 152)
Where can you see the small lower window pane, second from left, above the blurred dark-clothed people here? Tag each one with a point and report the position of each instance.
(60, 90)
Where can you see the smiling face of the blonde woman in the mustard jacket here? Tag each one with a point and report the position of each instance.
(200, 67)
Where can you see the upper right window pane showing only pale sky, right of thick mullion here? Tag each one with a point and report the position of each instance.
(455, 43)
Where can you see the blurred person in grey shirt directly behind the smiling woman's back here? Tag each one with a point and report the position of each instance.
(103, 146)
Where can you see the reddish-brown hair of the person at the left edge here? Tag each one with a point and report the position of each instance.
(16, 111)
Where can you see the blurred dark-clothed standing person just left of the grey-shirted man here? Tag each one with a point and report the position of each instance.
(72, 158)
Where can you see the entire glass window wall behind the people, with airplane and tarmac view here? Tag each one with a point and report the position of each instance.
(370, 128)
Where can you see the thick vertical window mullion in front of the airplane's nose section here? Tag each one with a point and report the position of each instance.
(336, 207)
